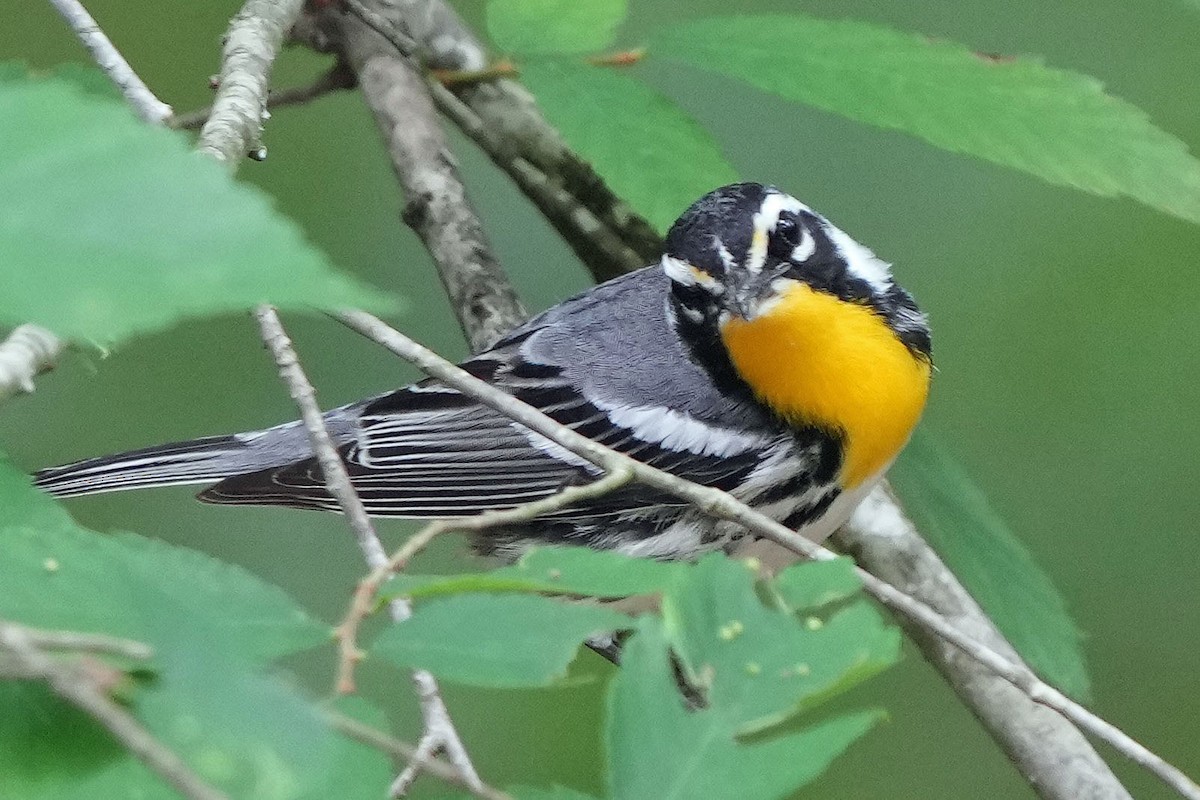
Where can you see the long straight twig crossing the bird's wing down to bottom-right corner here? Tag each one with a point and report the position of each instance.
(721, 506)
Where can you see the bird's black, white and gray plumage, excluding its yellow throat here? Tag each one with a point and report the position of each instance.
(633, 364)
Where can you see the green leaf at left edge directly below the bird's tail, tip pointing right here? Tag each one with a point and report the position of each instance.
(58, 575)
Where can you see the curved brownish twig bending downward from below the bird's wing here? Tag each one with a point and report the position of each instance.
(365, 594)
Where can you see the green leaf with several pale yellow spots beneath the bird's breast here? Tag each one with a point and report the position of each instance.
(759, 666)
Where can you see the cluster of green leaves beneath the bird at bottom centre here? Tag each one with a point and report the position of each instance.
(755, 665)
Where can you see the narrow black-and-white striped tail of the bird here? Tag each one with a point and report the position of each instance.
(200, 461)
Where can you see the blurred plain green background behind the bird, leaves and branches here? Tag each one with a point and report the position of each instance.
(1066, 336)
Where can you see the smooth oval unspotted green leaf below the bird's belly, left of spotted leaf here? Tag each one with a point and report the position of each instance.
(500, 641)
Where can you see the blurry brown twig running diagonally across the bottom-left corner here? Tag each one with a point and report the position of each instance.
(74, 687)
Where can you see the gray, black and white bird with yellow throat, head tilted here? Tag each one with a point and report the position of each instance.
(769, 354)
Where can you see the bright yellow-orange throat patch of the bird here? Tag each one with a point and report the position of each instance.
(819, 360)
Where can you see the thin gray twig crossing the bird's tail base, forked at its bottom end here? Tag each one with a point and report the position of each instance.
(440, 731)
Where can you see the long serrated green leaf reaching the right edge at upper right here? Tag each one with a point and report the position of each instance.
(1058, 125)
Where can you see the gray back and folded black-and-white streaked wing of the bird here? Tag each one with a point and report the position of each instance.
(607, 364)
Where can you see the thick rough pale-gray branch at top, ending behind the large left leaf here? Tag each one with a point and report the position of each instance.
(236, 125)
